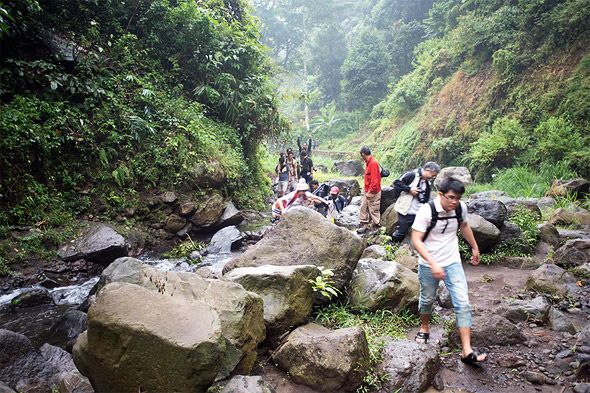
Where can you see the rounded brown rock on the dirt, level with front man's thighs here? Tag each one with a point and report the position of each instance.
(551, 279)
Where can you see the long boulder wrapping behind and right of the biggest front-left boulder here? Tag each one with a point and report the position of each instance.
(240, 312)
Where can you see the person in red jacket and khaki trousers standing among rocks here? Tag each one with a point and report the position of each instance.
(370, 214)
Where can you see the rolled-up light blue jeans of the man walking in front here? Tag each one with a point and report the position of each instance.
(456, 284)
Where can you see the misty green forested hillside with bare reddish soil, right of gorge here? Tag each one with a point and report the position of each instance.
(487, 84)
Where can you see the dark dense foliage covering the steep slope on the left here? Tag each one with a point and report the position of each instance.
(102, 100)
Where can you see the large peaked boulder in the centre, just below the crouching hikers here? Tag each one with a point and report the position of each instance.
(305, 237)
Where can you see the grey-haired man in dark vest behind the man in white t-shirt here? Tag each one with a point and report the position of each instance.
(414, 191)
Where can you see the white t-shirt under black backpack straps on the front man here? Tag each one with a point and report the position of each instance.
(444, 247)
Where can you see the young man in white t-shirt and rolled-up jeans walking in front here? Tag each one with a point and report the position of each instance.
(438, 247)
